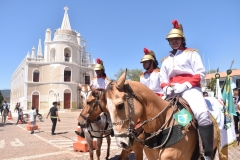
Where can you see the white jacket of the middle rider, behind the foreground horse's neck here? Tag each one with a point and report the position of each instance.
(152, 81)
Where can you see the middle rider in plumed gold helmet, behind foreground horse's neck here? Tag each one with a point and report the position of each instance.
(151, 77)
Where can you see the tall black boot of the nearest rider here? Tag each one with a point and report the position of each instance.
(206, 134)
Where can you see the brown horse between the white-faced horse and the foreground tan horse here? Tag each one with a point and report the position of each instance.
(92, 110)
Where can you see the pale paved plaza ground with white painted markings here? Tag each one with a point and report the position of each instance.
(17, 143)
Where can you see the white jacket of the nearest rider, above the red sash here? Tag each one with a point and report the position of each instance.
(183, 62)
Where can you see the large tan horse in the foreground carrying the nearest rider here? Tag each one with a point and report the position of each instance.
(128, 101)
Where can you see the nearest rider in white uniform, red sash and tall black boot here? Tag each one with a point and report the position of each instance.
(181, 73)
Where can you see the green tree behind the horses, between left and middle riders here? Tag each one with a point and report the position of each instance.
(132, 74)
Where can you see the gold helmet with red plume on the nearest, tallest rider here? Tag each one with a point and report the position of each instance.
(177, 31)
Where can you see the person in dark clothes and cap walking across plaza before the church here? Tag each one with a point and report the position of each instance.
(53, 112)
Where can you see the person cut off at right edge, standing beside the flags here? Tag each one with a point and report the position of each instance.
(236, 100)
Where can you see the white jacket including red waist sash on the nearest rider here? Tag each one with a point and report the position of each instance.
(183, 67)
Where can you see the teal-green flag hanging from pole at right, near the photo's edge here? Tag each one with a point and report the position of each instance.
(227, 96)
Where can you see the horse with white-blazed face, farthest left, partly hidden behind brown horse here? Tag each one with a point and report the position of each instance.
(98, 124)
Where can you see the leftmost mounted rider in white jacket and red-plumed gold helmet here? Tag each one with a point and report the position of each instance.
(98, 82)
